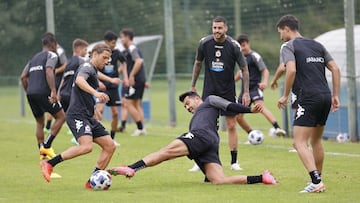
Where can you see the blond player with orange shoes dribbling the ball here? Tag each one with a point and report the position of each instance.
(79, 116)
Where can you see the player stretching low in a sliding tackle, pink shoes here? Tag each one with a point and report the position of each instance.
(201, 143)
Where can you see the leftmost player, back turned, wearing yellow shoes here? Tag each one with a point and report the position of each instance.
(38, 81)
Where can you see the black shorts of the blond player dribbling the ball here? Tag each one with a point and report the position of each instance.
(80, 125)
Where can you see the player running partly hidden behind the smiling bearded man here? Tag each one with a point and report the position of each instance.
(258, 79)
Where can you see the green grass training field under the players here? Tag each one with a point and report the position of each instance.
(21, 179)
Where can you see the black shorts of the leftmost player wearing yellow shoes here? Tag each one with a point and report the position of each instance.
(40, 104)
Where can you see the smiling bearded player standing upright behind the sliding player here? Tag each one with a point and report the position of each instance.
(220, 53)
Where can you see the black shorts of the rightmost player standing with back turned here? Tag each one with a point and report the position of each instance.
(312, 110)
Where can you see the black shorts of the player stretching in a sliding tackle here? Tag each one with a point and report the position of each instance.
(203, 147)
